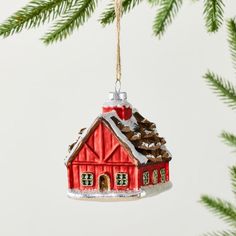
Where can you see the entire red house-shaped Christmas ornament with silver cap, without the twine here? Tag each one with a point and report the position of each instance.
(121, 156)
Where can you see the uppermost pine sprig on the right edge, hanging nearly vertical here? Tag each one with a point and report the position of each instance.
(231, 25)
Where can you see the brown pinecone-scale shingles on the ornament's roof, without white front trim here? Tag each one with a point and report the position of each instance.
(141, 133)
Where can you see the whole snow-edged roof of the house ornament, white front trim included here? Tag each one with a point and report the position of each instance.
(140, 137)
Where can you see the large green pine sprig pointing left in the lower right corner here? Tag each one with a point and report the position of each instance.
(223, 209)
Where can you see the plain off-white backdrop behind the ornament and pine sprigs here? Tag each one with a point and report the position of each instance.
(48, 93)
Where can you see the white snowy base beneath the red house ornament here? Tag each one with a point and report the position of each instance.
(147, 191)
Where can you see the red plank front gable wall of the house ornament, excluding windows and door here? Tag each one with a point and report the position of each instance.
(102, 153)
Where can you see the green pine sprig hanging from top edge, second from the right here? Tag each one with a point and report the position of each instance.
(167, 11)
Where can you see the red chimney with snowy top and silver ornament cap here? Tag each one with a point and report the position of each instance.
(118, 102)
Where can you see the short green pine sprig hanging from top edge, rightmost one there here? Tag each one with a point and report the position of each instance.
(213, 14)
